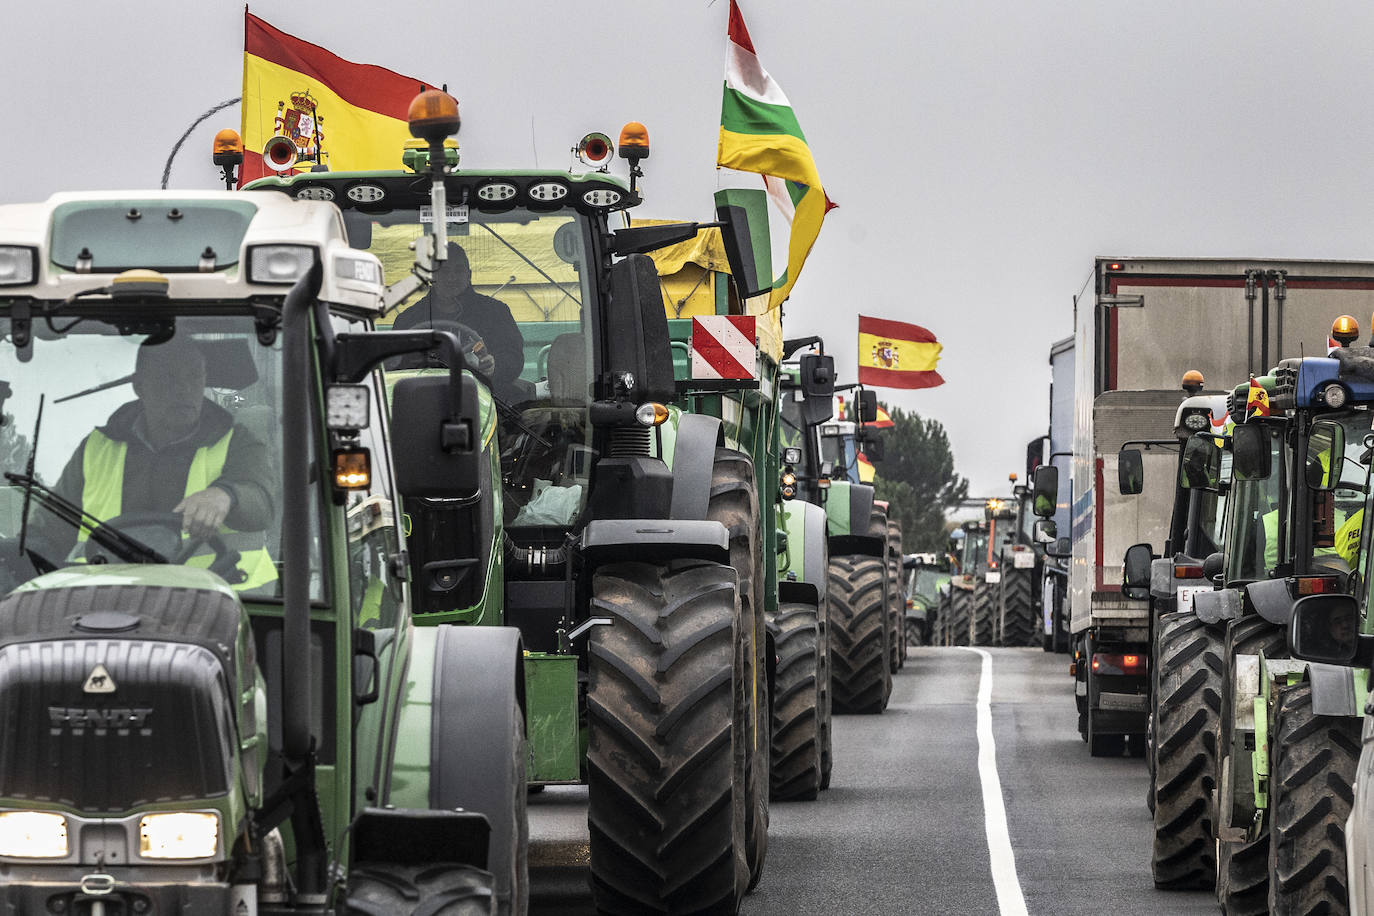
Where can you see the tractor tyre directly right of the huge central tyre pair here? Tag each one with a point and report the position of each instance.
(796, 719)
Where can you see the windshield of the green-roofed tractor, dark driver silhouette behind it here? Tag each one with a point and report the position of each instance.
(517, 290)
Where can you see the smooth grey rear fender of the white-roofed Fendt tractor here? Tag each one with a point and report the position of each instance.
(479, 687)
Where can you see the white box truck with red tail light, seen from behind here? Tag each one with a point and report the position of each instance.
(1140, 326)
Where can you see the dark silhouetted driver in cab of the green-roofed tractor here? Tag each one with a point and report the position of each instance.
(498, 350)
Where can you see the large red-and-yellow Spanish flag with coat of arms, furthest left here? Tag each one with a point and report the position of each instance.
(341, 115)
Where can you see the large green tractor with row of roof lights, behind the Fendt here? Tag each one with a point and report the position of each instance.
(620, 524)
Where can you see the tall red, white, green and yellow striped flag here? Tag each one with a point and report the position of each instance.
(759, 133)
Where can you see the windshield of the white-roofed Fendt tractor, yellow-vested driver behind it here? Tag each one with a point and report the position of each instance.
(150, 426)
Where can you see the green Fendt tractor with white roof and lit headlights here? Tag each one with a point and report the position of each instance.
(244, 720)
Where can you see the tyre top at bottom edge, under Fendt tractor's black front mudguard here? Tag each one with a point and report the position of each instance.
(388, 889)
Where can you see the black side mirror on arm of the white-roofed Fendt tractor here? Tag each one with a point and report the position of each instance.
(436, 450)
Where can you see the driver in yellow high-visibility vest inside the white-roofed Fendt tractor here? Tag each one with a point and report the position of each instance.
(175, 451)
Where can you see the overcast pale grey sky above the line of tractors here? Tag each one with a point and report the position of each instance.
(982, 153)
